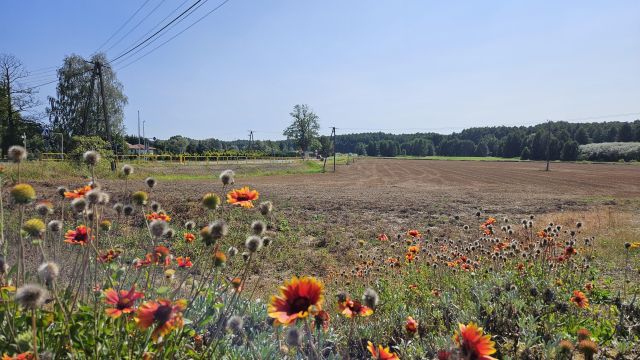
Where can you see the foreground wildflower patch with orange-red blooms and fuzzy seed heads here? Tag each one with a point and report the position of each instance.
(95, 271)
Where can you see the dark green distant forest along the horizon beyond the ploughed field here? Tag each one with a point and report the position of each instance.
(566, 142)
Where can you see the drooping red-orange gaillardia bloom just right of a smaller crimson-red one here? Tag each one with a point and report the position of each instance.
(165, 314)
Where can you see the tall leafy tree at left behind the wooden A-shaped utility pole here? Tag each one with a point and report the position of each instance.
(77, 108)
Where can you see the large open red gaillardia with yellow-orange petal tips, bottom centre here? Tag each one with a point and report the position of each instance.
(297, 297)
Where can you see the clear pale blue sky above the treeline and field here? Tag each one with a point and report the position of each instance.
(398, 66)
